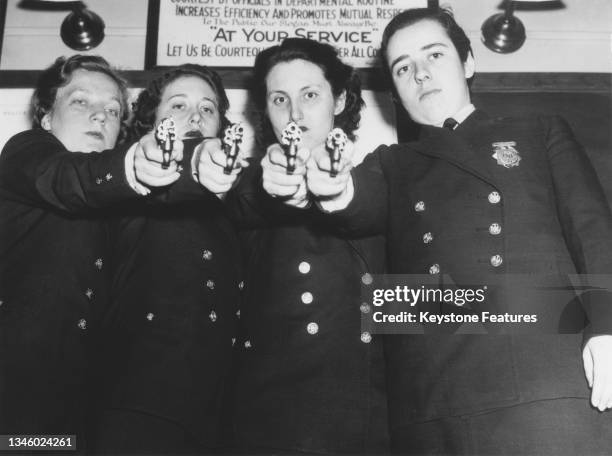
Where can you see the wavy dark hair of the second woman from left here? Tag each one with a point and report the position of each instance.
(148, 100)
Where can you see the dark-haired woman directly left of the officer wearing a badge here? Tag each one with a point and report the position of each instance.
(308, 379)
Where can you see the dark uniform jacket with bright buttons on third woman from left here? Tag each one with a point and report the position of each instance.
(308, 378)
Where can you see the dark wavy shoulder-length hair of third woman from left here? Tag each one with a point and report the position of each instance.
(341, 77)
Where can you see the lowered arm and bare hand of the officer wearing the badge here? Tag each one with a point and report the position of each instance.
(586, 220)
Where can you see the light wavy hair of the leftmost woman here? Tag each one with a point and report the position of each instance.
(59, 75)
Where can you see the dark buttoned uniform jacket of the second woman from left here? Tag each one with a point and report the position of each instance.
(176, 292)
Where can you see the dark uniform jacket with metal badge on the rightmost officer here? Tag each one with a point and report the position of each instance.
(448, 207)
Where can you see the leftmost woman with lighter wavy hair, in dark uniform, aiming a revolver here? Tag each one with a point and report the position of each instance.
(57, 182)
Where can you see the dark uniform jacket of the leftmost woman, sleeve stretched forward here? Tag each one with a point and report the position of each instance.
(53, 277)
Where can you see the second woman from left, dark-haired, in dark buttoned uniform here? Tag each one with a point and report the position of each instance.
(176, 288)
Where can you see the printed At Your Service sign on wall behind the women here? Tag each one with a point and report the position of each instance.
(232, 32)
